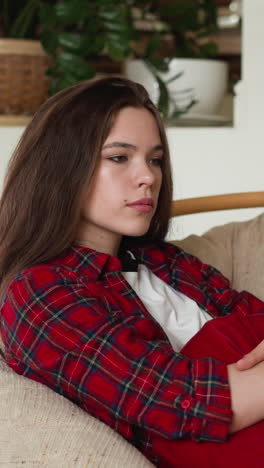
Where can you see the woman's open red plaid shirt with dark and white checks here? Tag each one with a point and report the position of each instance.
(76, 325)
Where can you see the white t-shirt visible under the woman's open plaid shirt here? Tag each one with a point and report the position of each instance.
(179, 316)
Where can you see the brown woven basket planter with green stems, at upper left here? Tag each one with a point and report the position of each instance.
(23, 84)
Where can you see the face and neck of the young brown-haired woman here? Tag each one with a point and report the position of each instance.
(124, 193)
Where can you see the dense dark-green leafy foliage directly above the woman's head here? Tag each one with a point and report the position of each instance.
(76, 33)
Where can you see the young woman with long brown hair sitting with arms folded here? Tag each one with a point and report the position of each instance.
(98, 307)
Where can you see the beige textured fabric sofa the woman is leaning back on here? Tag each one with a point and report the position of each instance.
(40, 428)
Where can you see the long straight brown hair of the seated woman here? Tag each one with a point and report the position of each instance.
(54, 162)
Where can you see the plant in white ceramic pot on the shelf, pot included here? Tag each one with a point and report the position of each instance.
(194, 81)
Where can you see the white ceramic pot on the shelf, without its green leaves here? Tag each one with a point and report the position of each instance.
(201, 79)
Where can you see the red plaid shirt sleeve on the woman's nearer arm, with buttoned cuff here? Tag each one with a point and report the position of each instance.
(66, 335)
